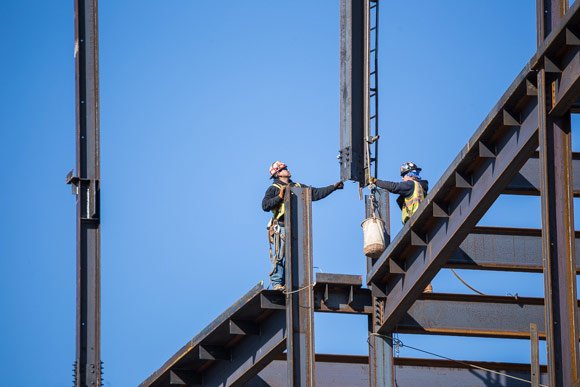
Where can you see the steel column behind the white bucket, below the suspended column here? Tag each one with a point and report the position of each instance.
(381, 364)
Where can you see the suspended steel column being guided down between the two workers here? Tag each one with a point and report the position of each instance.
(352, 90)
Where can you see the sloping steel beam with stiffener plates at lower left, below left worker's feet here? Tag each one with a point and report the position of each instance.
(234, 347)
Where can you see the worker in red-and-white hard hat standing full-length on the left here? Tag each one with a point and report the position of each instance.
(274, 201)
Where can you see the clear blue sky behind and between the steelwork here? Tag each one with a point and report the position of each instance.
(197, 99)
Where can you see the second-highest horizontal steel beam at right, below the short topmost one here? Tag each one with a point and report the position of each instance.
(500, 248)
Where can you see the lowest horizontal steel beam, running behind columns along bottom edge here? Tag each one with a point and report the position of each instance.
(353, 371)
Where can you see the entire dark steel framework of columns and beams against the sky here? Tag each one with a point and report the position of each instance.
(245, 345)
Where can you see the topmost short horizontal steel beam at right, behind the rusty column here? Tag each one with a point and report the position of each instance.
(527, 181)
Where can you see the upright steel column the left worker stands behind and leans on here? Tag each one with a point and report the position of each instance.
(300, 303)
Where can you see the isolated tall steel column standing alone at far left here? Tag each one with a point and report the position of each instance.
(86, 187)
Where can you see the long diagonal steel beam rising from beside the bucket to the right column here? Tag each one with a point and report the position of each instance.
(464, 193)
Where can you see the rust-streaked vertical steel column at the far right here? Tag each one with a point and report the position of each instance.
(557, 218)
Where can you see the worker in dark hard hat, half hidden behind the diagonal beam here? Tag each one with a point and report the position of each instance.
(412, 190)
